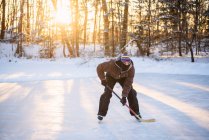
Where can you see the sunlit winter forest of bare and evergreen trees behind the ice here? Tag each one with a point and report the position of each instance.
(178, 27)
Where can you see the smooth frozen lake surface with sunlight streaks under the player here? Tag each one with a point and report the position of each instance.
(66, 109)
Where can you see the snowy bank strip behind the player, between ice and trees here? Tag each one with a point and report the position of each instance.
(37, 69)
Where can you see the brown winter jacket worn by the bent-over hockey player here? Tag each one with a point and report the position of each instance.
(116, 72)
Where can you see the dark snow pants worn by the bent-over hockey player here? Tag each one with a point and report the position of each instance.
(105, 97)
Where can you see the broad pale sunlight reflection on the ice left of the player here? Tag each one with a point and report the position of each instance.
(49, 110)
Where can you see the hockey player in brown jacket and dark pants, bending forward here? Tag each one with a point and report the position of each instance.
(119, 70)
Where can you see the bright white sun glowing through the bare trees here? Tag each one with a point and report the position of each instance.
(62, 14)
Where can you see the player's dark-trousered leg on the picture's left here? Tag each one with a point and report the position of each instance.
(105, 97)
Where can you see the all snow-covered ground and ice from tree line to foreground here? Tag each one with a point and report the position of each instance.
(57, 99)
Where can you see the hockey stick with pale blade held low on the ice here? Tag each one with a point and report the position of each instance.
(140, 119)
